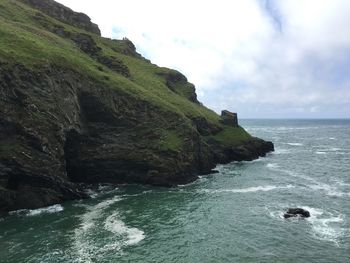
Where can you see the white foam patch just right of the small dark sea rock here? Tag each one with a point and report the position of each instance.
(325, 225)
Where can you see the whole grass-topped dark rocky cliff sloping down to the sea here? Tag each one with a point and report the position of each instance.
(78, 108)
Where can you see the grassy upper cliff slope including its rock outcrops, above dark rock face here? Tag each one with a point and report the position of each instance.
(31, 37)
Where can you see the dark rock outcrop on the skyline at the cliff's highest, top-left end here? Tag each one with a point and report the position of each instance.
(64, 14)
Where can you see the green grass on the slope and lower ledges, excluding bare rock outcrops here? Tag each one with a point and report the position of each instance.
(25, 39)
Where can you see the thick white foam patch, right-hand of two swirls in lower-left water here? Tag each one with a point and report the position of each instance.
(116, 226)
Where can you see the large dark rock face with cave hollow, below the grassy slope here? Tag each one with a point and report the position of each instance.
(70, 129)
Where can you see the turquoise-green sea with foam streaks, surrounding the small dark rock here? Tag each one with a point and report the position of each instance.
(232, 216)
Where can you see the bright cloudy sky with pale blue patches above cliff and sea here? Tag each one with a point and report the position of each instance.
(260, 58)
